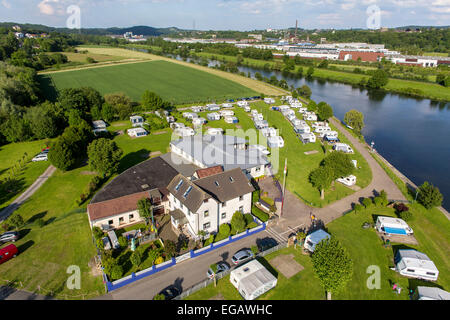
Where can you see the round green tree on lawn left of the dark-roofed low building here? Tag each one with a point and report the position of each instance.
(104, 156)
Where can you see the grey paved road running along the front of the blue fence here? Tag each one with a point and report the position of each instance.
(183, 275)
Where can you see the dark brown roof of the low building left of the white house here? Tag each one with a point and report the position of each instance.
(151, 174)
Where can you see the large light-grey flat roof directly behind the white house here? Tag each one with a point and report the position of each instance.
(220, 150)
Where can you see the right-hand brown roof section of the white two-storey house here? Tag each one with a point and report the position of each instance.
(226, 185)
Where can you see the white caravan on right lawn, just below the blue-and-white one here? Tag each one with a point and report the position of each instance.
(414, 264)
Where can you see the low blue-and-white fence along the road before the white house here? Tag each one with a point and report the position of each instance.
(193, 254)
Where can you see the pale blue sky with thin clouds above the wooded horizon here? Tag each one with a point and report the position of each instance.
(244, 15)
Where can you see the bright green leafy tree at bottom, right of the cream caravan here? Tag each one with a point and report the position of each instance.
(332, 265)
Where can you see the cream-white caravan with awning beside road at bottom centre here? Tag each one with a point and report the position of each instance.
(252, 280)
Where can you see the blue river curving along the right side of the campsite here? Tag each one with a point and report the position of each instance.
(410, 133)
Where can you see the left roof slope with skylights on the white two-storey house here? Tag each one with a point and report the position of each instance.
(187, 192)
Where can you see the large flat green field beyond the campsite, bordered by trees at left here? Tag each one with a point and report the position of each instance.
(173, 82)
